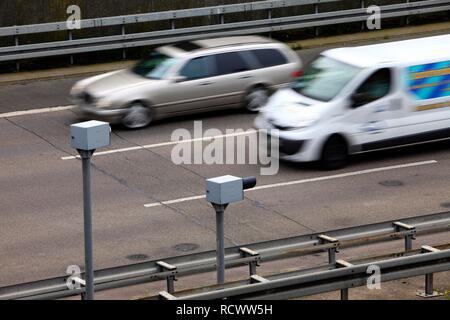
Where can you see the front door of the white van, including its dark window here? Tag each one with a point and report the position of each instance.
(374, 105)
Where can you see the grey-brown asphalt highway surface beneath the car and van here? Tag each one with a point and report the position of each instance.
(41, 196)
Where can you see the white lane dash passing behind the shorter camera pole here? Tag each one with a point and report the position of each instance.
(295, 182)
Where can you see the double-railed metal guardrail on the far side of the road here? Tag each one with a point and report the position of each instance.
(267, 25)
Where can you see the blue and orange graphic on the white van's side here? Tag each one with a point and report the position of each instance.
(430, 81)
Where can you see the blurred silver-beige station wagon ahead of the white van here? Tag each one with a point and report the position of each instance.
(189, 77)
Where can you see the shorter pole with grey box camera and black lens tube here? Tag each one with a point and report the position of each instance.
(220, 192)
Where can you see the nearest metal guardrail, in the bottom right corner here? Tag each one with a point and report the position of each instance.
(346, 275)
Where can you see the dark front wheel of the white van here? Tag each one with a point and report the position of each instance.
(334, 154)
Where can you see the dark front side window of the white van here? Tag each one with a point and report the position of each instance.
(375, 87)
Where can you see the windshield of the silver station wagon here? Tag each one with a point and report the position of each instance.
(154, 66)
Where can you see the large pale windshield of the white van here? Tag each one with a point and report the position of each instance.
(324, 78)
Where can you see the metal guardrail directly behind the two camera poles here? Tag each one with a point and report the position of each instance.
(251, 255)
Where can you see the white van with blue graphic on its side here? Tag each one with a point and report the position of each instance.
(360, 99)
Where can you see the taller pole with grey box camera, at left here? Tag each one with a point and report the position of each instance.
(86, 137)
